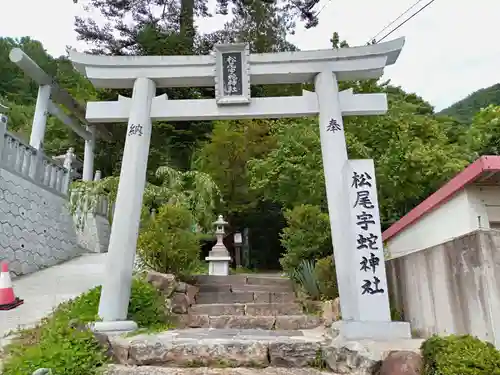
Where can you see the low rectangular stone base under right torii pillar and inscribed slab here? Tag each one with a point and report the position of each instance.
(379, 331)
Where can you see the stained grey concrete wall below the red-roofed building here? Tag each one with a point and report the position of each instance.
(453, 287)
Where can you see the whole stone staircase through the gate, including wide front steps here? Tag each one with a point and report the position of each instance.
(240, 325)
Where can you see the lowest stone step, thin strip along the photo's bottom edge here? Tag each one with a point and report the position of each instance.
(152, 370)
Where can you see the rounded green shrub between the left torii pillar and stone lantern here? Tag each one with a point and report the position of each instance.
(166, 243)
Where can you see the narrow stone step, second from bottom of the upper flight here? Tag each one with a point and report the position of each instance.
(253, 309)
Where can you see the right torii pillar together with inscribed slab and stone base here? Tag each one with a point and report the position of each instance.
(355, 226)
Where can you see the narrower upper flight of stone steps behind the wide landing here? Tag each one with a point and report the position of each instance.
(247, 302)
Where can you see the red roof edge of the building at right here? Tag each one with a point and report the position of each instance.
(457, 183)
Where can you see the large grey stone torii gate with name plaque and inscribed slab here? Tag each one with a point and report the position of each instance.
(350, 185)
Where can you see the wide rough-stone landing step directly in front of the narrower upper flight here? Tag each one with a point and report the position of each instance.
(218, 348)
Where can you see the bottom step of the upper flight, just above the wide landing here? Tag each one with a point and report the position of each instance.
(273, 322)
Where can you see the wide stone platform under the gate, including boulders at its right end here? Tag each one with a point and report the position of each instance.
(249, 352)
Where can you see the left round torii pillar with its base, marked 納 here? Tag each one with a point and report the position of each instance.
(115, 295)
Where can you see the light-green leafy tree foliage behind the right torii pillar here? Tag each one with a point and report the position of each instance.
(412, 154)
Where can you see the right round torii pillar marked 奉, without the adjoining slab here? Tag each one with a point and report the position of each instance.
(334, 153)
